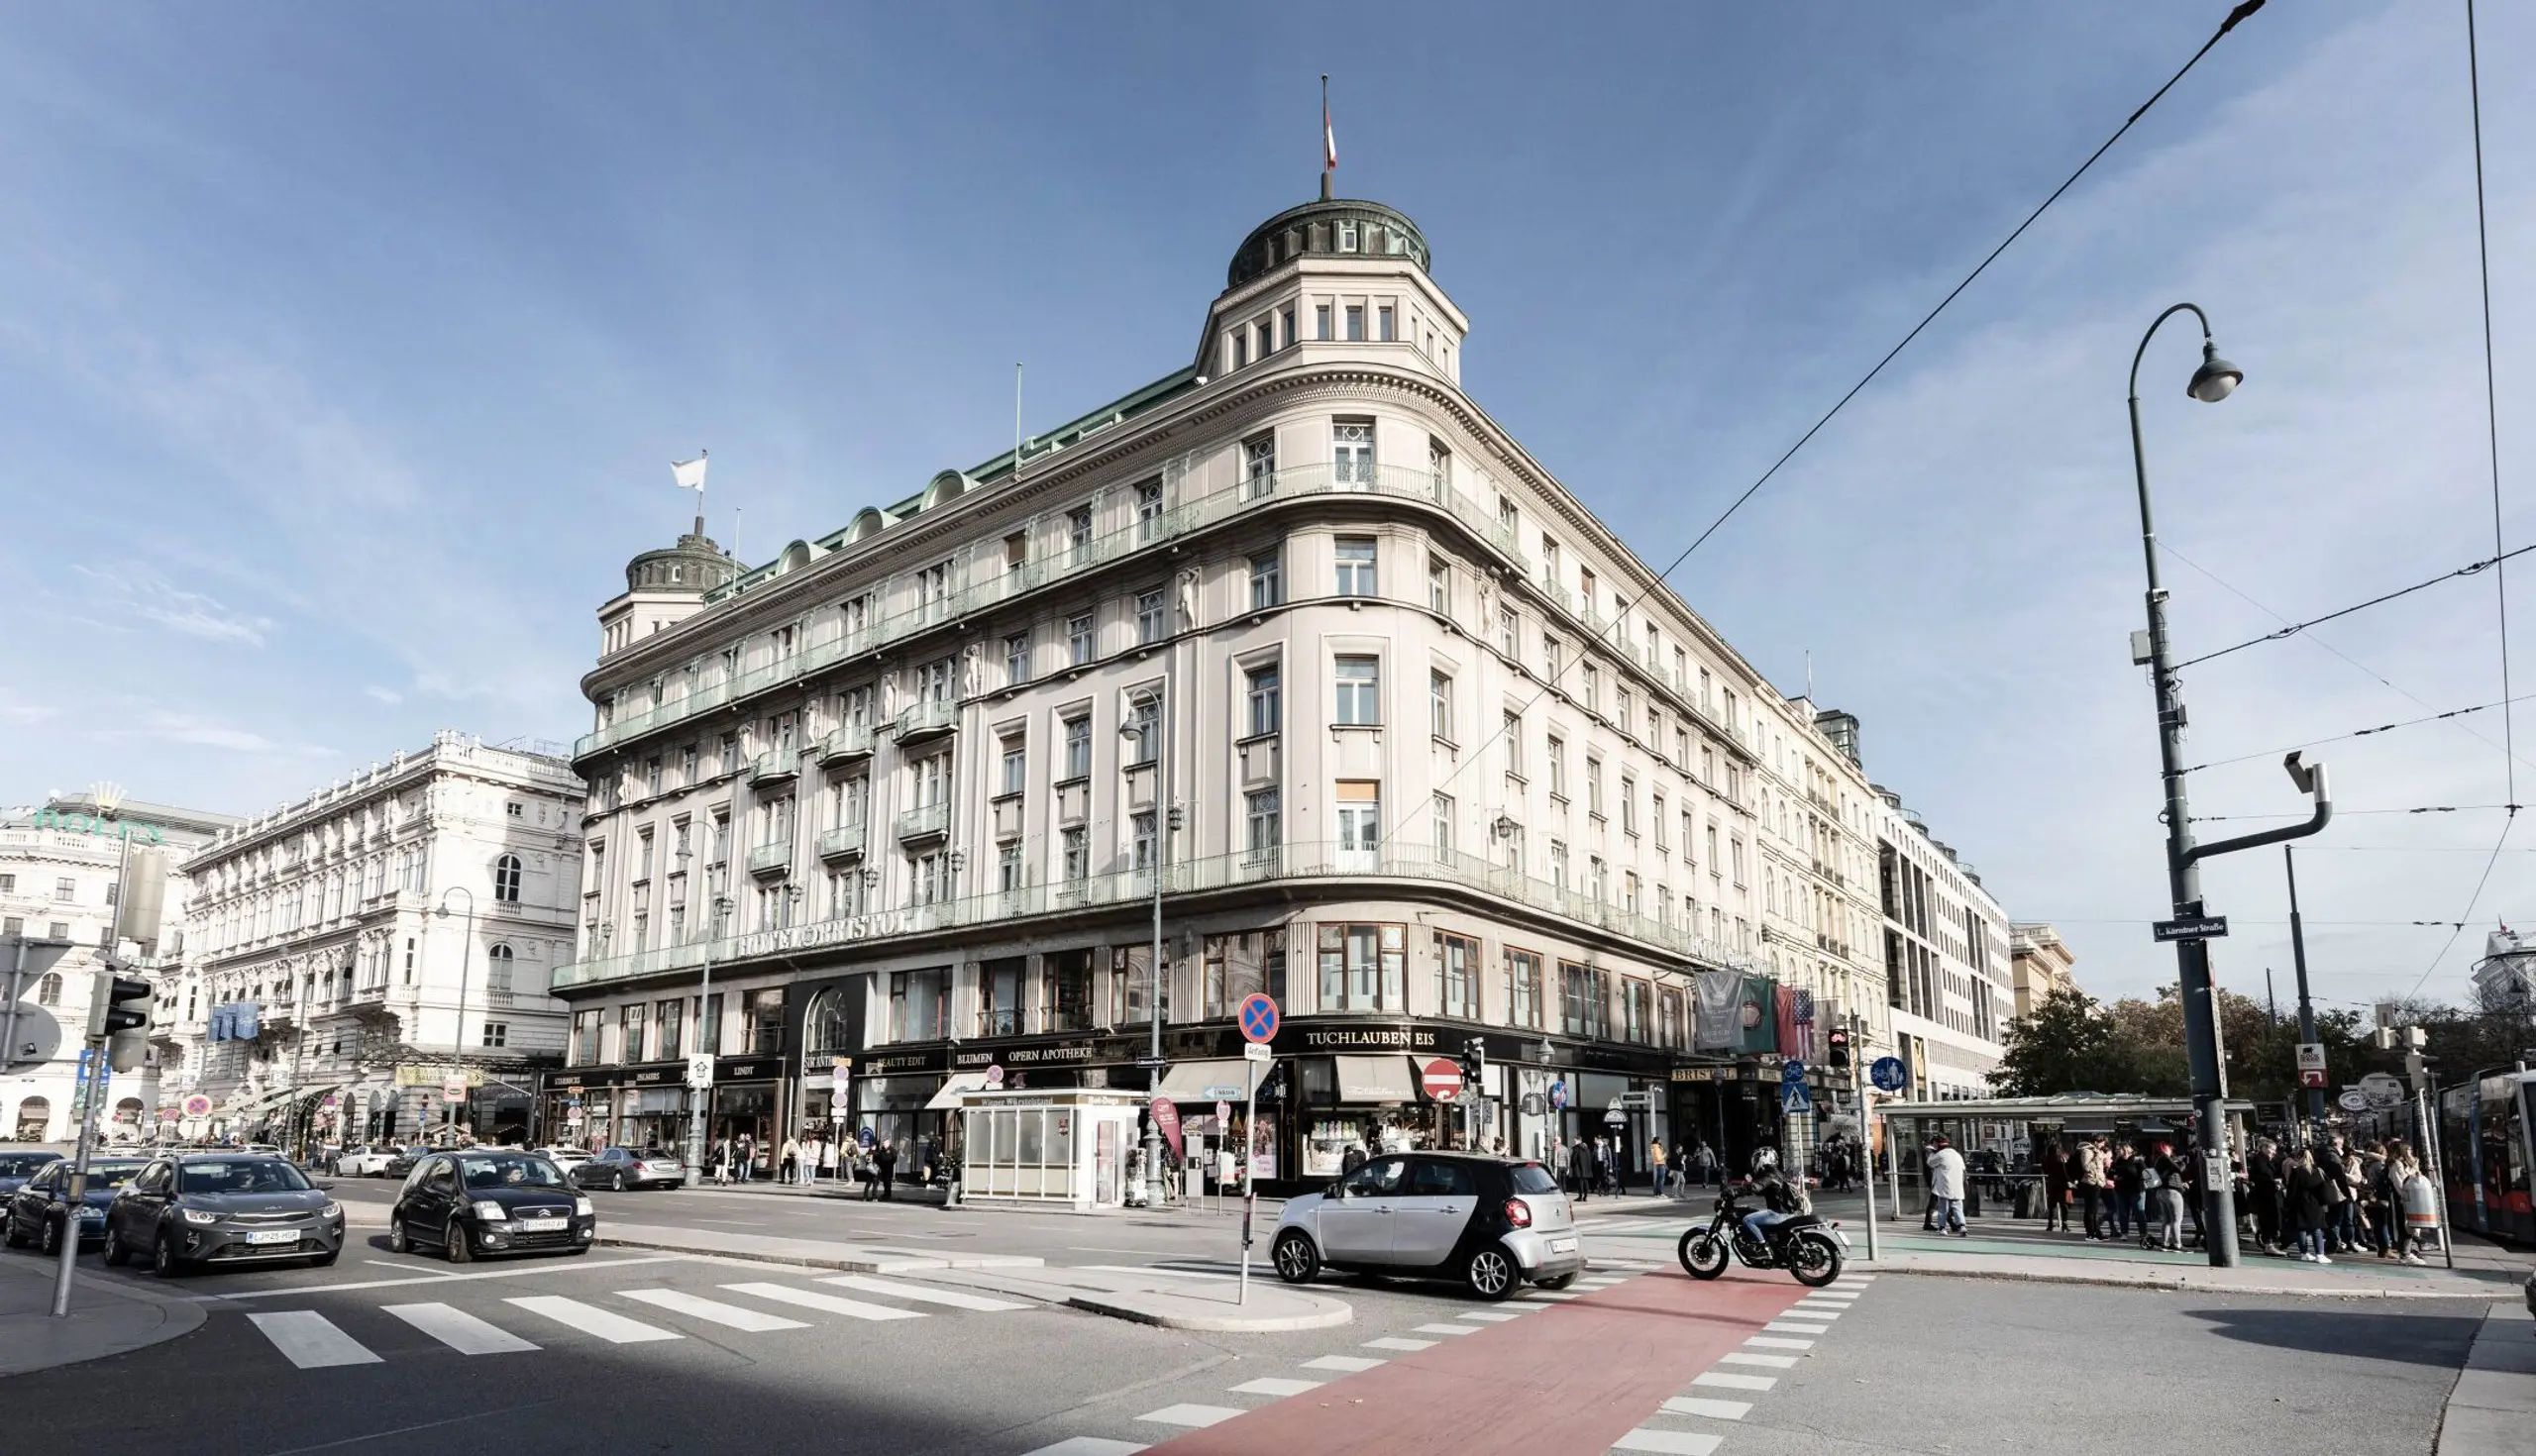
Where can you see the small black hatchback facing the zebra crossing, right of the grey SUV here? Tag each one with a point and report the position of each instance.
(491, 1201)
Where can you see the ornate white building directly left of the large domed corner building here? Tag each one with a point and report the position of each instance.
(333, 983)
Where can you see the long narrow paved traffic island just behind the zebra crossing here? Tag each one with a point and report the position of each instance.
(1168, 1297)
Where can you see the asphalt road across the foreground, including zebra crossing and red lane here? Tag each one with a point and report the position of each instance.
(625, 1353)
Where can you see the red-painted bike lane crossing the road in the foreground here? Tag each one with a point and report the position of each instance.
(1569, 1379)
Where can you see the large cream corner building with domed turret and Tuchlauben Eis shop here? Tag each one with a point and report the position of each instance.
(1404, 734)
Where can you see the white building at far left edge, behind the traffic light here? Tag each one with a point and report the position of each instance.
(60, 871)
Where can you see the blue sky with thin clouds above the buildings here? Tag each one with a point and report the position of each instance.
(344, 354)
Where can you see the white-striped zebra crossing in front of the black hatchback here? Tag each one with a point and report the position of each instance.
(526, 1323)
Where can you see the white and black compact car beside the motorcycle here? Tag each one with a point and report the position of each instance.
(1487, 1221)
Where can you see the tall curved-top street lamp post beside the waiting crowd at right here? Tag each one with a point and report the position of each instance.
(2210, 384)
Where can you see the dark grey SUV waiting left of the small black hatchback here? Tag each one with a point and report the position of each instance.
(222, 1209)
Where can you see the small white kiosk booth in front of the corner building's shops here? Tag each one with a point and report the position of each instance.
(1046, 1148)
